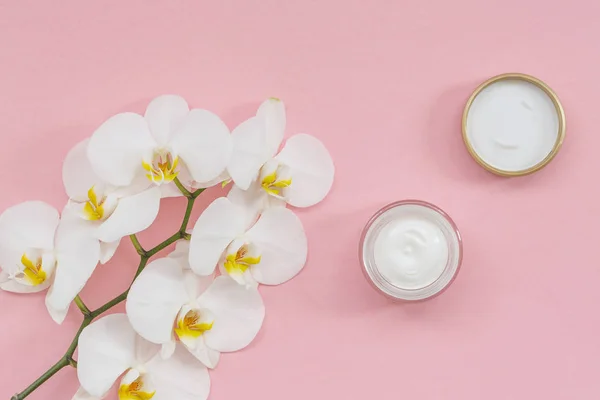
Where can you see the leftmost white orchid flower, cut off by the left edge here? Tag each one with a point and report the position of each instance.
(38, 250)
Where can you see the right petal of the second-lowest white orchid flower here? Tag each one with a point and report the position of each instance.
(239, 314)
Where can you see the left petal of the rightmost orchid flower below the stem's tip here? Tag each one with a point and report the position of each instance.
(216, 227)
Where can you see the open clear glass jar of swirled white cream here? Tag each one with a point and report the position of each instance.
(410, 250)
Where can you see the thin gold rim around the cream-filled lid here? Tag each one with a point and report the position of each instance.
(559, 111)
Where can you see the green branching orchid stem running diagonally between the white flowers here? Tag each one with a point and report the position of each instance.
(89, 316)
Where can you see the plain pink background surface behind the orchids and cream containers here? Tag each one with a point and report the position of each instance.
(383, 84)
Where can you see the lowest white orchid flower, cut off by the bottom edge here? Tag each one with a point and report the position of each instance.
(110, 349)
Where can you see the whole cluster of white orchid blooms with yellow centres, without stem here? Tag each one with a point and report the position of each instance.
(185, 309)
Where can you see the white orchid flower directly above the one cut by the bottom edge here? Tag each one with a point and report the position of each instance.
(168, 302)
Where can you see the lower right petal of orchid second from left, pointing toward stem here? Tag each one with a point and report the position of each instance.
(132, 215)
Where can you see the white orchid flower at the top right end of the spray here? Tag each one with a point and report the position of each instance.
(301, 174)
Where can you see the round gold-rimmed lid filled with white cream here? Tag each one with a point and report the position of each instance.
(513, 124)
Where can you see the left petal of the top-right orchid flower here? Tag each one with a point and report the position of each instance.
(249, 153)
